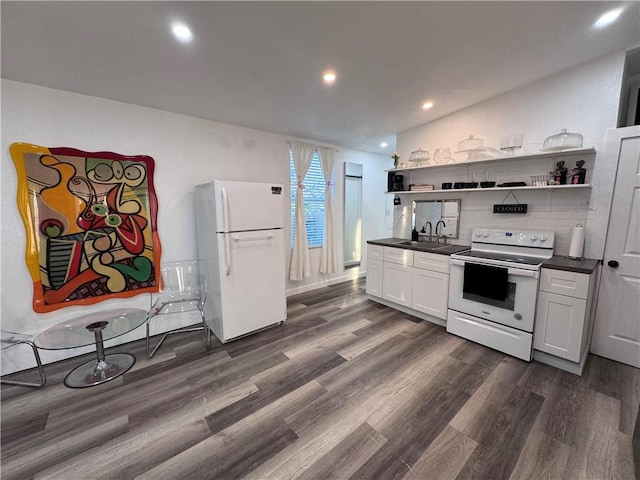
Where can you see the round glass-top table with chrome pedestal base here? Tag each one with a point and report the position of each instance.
(89, 329)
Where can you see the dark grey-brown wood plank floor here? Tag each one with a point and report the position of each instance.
(346, 388)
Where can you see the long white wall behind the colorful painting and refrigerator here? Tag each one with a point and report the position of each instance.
(187, 151)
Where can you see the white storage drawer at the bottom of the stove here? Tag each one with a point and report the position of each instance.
(504, 339)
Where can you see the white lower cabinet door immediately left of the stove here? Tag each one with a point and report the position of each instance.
(430, 292)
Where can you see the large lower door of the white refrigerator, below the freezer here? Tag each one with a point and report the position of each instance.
(253, 280)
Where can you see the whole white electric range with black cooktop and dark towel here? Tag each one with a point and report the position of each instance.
(493, 288)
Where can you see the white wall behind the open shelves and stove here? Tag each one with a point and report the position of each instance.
(583, 99)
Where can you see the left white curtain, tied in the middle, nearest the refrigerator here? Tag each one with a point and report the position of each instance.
(300, 264)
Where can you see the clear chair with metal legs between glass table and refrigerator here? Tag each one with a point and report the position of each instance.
(183, 290)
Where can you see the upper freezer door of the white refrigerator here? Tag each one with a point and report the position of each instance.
(249, 206)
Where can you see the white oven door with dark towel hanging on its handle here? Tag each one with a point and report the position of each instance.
(503, 295)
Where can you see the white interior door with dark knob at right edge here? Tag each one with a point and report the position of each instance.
(617, 328)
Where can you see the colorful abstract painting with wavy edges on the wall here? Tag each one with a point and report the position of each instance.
(90, 220)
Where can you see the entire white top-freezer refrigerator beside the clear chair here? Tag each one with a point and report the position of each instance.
(241, 246)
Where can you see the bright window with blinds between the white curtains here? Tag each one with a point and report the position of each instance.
(314, 193)
